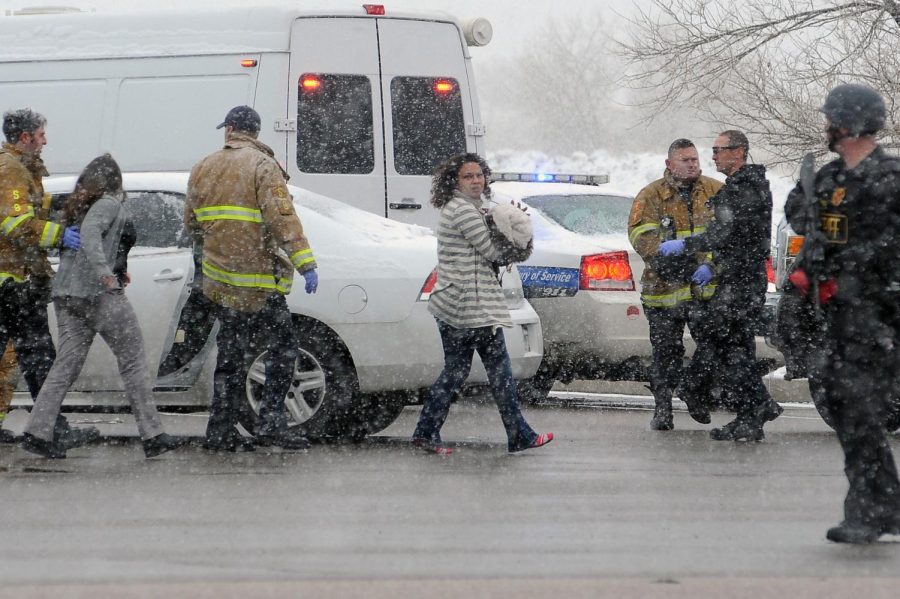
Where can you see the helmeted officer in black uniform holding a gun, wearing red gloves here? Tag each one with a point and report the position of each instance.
(858, 197)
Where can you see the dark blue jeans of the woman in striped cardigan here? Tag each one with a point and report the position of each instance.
(459, 347)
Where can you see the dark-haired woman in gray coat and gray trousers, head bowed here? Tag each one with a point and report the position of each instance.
(89, 299)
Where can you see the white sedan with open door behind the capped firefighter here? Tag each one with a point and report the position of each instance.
(368, 344)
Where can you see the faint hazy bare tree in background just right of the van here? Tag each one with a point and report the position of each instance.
(561, 93)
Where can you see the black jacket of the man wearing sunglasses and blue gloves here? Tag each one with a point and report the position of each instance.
(739, 236)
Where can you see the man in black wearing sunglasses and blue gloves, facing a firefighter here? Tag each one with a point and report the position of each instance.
(724, 328)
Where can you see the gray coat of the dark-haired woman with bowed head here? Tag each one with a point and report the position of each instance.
(80, 271)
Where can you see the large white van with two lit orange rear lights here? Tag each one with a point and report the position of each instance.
(358, 104)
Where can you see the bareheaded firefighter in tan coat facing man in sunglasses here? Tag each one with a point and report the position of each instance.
(670, 207)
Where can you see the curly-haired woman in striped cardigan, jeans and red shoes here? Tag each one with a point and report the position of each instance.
(469, 306)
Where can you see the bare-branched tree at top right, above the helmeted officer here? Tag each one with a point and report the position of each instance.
(765, 66)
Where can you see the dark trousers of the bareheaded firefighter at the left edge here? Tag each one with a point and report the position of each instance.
(23, 320)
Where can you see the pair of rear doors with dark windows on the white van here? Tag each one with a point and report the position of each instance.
(379, 103)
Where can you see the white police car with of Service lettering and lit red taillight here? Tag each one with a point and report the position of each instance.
(583, 278)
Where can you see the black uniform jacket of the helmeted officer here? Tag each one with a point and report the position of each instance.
(859, 210)
